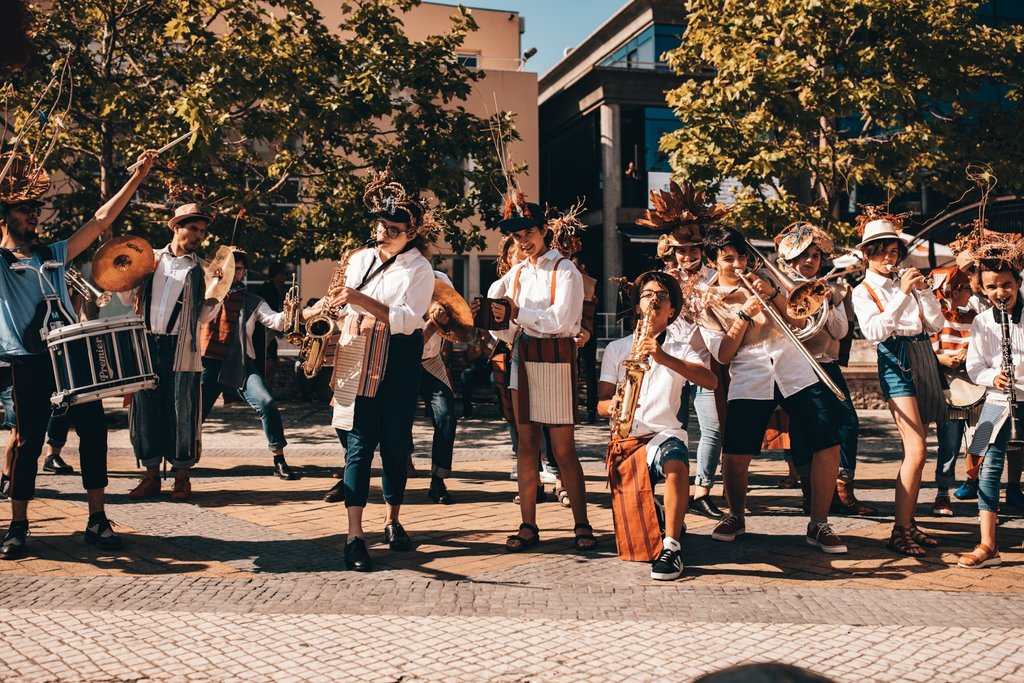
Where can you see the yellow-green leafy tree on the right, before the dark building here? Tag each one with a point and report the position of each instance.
(801, 100)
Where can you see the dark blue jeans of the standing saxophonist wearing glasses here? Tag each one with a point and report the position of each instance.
(387, 420)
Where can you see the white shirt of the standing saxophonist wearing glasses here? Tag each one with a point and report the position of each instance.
(406, 287)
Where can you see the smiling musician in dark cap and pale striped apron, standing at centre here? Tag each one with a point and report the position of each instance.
(546, 298)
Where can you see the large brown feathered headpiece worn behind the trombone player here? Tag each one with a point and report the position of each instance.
(684, 212)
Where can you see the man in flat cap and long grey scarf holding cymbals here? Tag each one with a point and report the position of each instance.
(166, 421)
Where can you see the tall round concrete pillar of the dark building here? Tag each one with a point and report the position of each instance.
(612, 166)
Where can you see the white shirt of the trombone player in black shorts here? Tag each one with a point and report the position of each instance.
(757, 369)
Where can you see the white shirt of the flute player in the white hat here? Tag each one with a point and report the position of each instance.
(903, 314)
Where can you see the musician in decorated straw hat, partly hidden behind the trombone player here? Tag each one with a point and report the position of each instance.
(802, 248)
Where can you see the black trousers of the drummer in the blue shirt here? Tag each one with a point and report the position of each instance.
(33, 379)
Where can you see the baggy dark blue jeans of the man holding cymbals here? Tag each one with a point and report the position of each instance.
(165, 420)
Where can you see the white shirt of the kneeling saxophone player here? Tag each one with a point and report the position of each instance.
(661, 392)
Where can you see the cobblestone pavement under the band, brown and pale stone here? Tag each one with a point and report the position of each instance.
(246, 581)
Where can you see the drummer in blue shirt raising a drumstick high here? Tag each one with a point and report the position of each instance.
(22, 346)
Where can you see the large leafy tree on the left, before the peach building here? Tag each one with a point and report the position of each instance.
(279, 99)
